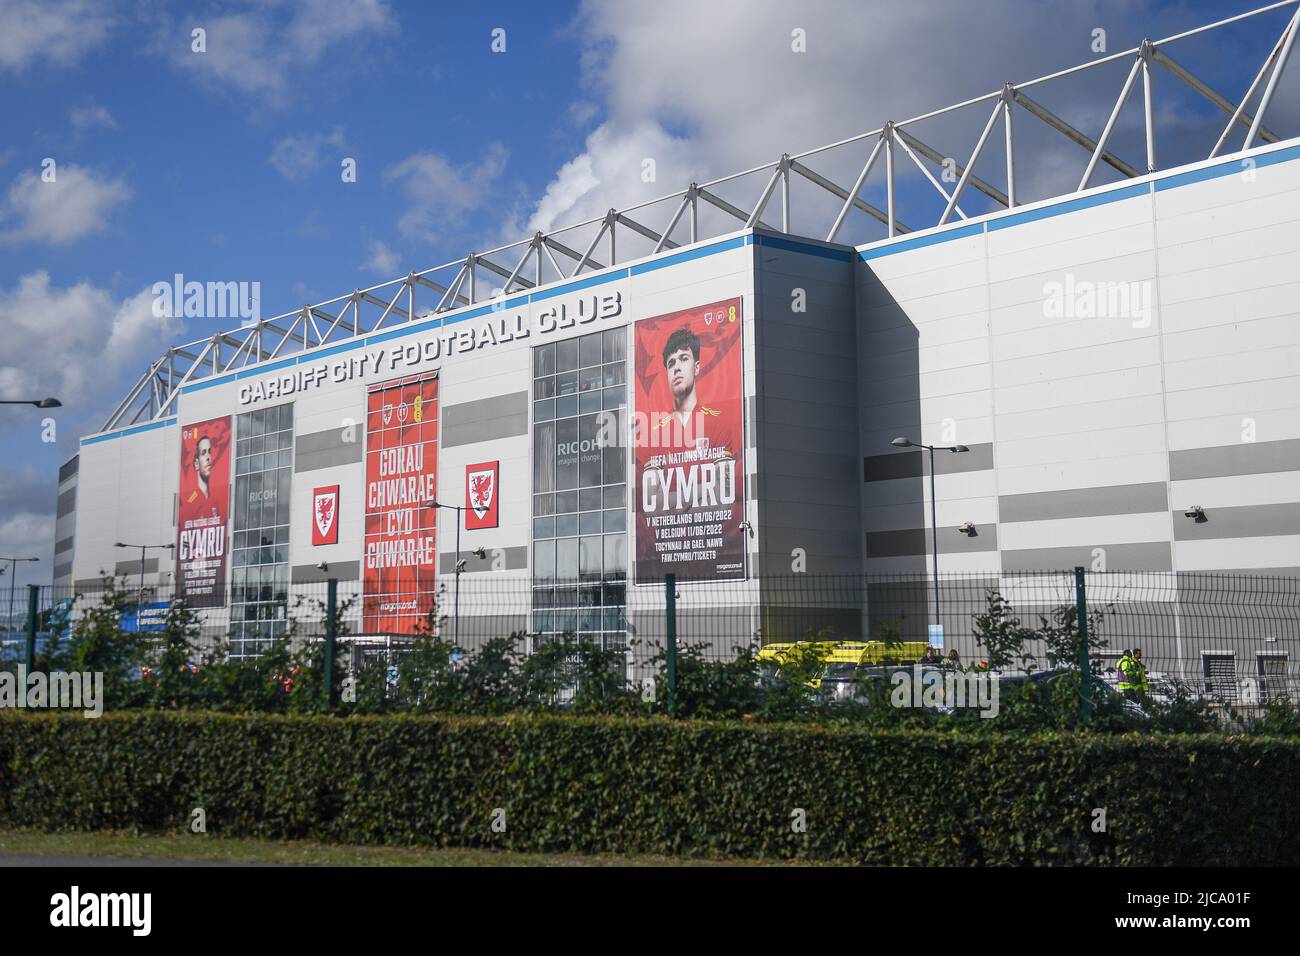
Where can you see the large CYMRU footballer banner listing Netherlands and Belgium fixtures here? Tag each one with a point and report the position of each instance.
(690, 482)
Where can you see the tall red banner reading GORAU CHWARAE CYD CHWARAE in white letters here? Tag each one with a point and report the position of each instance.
(401, 576)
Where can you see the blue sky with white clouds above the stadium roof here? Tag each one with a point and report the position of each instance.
(226, 166)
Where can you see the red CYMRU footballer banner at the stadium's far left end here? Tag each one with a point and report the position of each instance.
(205, 507)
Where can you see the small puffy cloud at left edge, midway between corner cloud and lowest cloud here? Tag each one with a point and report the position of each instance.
(77, 204)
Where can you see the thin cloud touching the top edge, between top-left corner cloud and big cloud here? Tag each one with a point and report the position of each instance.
(257, 53)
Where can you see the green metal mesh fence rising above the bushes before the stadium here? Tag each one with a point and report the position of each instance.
(1229, 635)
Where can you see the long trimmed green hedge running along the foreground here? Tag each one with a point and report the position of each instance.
(657, 786)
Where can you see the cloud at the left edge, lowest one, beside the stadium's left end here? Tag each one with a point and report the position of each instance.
(77, 343)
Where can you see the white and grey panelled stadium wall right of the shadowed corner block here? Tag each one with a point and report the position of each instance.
(1093, 429)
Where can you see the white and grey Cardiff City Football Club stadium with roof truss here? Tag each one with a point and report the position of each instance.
(717, 399)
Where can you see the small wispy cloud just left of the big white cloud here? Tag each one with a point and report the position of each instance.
(437, 193)
